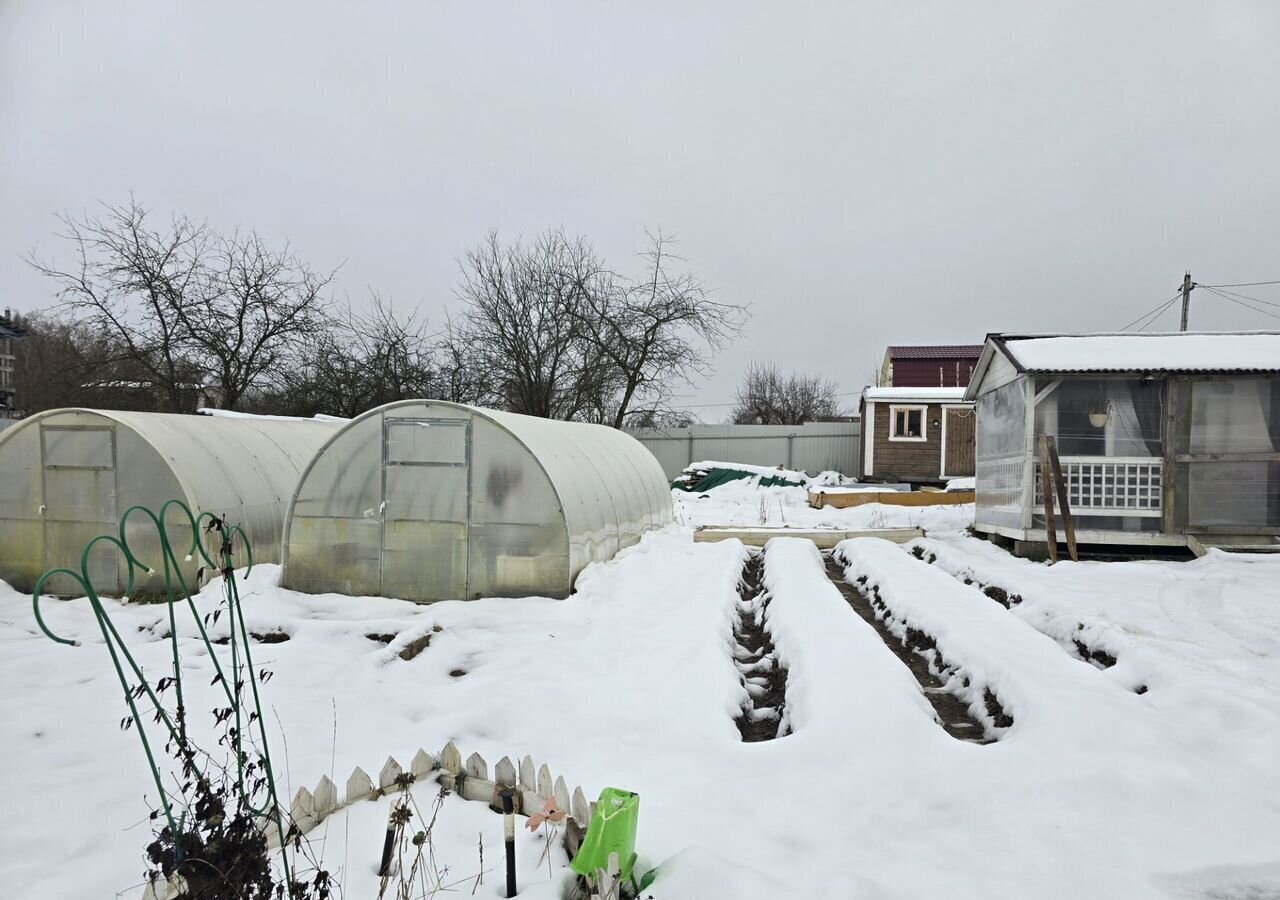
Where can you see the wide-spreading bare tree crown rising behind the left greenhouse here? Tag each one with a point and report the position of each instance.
(186, 305)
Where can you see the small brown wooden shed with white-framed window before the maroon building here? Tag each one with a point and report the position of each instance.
(918, 436)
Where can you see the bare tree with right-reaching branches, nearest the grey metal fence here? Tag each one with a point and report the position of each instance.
(656, 332)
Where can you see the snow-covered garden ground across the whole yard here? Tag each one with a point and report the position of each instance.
(1095, 791)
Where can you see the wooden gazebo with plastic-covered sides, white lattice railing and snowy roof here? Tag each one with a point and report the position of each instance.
(1165, 440)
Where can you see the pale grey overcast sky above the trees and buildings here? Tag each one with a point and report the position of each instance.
(860, 175)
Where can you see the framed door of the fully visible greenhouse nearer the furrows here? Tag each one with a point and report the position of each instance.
(427, 494)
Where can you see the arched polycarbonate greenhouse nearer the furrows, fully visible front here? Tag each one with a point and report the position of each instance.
(436, 501)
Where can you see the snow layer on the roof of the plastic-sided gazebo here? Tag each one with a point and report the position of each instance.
(1177, 351)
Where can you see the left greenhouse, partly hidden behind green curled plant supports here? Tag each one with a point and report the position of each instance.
(68, 476)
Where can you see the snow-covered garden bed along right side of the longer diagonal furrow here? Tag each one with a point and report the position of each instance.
(1005, 670)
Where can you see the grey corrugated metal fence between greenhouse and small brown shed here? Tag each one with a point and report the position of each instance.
(813, 447)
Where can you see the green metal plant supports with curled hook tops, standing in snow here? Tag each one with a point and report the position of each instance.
(139, 693)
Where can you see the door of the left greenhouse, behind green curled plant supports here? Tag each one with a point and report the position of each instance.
(79, 491)
